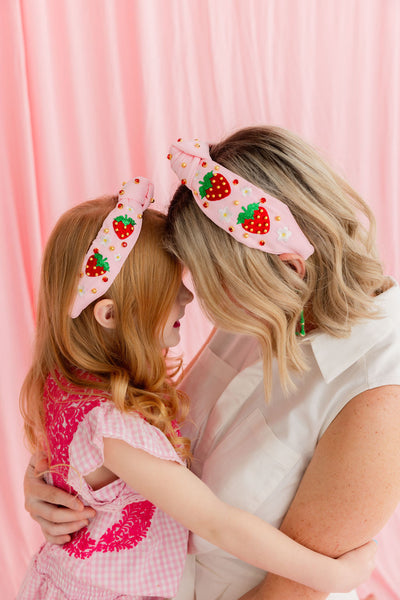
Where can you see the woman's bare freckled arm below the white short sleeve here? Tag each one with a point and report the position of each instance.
(350, 488)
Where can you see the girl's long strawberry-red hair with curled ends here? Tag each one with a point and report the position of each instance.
(129, 362)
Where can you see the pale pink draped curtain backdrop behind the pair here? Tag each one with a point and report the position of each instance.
(93, 91)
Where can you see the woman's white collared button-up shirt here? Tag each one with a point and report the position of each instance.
(253, 454)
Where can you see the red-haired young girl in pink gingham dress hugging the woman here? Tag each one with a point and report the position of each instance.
(100, 399)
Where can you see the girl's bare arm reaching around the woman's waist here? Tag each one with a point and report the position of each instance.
(178, 492)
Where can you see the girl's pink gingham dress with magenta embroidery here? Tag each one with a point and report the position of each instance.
(131, 549)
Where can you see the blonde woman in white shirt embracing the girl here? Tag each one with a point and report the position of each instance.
(302, 431)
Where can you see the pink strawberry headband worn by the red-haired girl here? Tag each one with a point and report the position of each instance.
(115, 240)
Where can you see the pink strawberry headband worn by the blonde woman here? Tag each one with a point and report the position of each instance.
(246, 212)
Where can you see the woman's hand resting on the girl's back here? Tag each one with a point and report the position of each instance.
(59, 514)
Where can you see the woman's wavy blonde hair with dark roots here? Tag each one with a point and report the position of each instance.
(255, 293)
